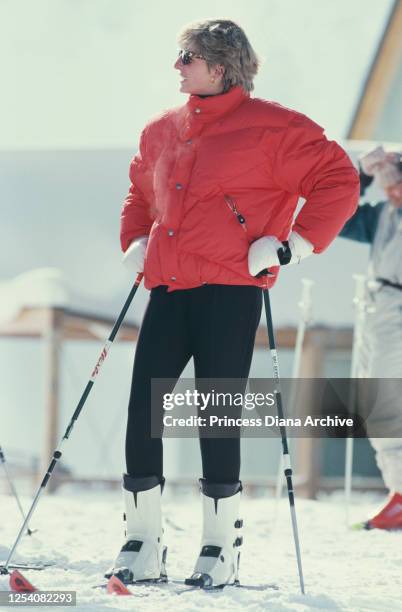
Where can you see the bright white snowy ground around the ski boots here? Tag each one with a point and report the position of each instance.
(344, 569)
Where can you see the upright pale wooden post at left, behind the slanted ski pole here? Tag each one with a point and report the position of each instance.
(52, 337)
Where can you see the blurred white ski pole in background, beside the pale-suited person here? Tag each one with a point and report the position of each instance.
(360, 307)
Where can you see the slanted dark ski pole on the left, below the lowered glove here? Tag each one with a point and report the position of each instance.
(58, 453)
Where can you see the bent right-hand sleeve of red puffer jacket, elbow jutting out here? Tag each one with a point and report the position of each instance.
(319, 170)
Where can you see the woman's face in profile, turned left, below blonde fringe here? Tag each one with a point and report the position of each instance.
(197, 79)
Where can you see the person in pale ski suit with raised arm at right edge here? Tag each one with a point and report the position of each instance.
(380, 225)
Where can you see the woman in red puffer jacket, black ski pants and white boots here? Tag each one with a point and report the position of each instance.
(215, 185)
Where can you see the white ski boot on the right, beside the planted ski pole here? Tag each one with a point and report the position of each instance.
(218, 562)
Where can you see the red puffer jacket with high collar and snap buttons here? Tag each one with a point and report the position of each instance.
(218, 173)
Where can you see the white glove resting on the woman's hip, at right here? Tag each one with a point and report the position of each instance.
(263, 253)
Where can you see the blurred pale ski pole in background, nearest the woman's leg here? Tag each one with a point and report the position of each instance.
(305, 305)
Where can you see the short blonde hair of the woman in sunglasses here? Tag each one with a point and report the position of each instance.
(221, 41)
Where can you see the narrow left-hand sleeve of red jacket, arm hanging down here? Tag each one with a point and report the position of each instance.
(136, 219)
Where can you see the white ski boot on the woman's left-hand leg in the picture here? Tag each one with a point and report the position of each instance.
(143, 556)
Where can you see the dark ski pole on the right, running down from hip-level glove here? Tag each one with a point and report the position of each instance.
(286, 457)
